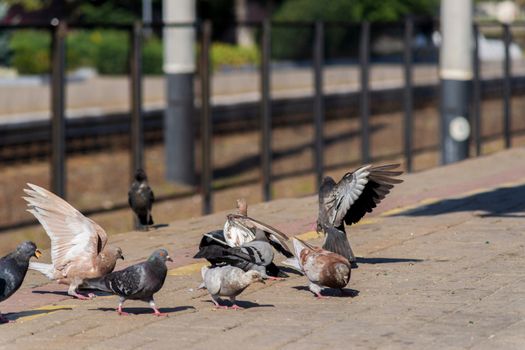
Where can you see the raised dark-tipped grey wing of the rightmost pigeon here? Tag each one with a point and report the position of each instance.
(359, 192)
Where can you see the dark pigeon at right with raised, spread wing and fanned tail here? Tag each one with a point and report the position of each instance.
(349, 200)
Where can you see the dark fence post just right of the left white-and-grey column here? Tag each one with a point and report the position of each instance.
(206, 119)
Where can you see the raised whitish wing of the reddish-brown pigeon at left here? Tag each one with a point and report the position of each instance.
(73, 236)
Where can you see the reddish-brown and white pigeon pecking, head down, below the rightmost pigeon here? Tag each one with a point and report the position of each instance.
(322, 267)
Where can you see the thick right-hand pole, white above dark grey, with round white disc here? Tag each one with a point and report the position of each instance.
(456, 78)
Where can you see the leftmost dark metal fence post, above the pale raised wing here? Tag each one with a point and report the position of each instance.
(58, 121)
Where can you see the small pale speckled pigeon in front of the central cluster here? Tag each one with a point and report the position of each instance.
(227, 281)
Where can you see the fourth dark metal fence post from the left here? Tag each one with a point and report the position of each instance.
(266, 112)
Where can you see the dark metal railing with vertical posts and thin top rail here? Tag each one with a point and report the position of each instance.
(58, 125)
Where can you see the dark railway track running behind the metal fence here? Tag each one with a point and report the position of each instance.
(30, 140)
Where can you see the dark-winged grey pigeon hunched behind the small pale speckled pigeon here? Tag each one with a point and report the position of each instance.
(254, 255)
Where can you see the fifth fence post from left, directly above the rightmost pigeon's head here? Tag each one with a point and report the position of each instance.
(319, 100)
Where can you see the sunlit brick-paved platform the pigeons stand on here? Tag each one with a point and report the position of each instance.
(442, 266)
